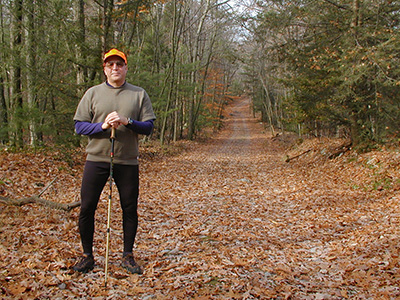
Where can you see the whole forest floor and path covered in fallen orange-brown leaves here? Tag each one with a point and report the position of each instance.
(227, 218)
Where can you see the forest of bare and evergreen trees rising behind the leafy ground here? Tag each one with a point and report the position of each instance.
(313, 67)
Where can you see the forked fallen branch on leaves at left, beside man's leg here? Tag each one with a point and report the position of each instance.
(38, 200)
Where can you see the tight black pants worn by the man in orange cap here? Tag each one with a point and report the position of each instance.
(95, 176)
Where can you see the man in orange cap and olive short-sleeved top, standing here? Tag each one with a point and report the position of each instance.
(127, 108)
